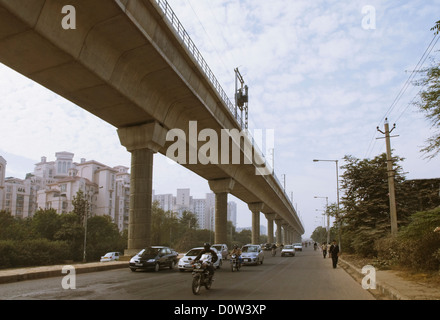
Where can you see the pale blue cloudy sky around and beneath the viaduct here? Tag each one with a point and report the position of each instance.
(322, 74)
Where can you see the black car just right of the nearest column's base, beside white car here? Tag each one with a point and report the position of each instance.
(155, 257)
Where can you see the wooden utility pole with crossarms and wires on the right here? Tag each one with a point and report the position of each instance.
(392, 195)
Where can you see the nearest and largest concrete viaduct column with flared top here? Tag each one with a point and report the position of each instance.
(142, 142)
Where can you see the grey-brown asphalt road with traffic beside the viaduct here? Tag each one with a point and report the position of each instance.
(307, 276)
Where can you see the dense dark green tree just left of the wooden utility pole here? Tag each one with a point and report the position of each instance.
(366, 202)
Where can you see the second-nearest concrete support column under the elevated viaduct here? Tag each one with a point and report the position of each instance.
(221, 188)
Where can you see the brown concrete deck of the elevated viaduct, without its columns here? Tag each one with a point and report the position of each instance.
(126, 66)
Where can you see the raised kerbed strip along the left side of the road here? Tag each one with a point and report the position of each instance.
(21, 274)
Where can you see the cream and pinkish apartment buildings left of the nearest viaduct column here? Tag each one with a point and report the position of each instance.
(54, 184)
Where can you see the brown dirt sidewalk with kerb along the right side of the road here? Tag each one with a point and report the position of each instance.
(389, 286)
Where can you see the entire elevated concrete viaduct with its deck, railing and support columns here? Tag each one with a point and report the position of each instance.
(130, 63)
